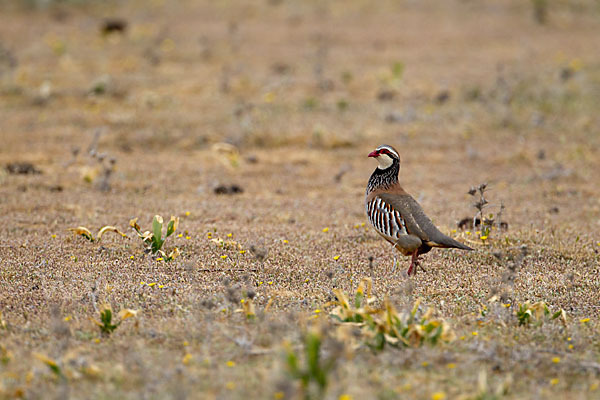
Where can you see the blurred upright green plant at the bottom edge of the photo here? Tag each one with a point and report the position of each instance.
(312, 372)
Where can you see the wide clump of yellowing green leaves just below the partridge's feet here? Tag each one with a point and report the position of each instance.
(386, 326)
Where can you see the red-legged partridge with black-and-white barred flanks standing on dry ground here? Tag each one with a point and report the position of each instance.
(396, 215)
